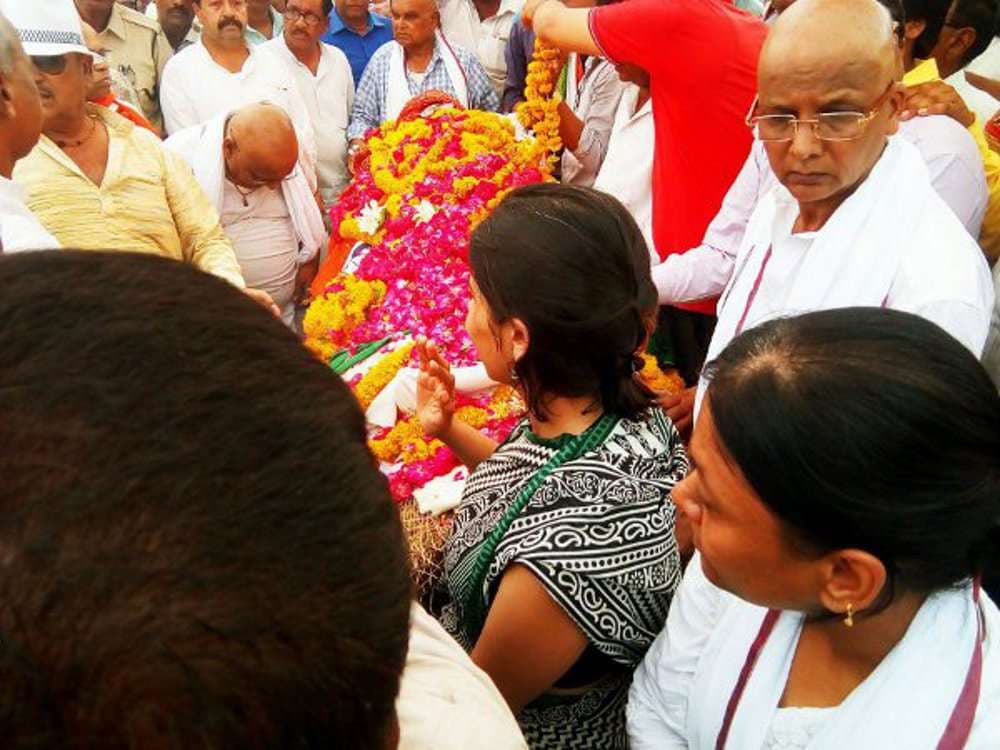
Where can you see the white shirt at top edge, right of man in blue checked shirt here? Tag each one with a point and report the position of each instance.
(486, 39)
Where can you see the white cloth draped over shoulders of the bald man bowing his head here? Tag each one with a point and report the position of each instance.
(201, 147)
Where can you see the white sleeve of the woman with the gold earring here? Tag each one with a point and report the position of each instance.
(658, 699)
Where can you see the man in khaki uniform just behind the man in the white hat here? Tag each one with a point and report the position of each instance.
(133, 49)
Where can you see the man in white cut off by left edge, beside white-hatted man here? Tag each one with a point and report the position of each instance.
(20, 127)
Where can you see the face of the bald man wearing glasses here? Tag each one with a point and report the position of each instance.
(816, 170)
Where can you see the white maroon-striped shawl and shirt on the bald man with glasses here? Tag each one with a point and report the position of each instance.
(893, 242)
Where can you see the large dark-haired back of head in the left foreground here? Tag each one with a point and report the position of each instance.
(198, 550)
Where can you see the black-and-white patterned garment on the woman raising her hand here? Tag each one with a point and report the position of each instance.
(599, 536)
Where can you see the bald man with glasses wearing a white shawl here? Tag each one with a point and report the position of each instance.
(854, 220)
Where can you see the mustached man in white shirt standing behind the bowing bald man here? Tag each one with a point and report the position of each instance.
(222, 73)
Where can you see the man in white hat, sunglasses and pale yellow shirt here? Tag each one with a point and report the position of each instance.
(95, 180)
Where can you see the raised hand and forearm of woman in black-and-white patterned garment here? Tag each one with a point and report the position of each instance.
(436, 408)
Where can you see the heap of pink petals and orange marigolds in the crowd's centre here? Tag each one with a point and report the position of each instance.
(424, 186)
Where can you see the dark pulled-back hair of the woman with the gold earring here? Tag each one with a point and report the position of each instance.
(870, 429)
